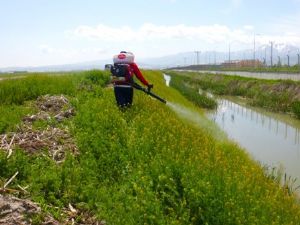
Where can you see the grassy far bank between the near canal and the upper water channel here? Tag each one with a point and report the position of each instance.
(273, 95)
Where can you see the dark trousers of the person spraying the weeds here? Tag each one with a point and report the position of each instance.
(124, 96)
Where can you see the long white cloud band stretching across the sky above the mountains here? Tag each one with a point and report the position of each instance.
(148, 31)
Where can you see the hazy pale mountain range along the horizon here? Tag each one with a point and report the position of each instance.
(281, 53)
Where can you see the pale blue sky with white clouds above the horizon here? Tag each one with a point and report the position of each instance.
(47, 32)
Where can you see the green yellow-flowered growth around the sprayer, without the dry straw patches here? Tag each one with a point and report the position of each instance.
(146, 165)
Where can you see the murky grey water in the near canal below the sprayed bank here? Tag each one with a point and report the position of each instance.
(271, 139)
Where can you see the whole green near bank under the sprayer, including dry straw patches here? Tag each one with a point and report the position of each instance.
(145, 165)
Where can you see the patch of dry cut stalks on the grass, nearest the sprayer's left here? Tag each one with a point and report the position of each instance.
(55, 140)
